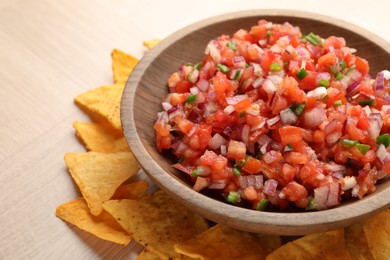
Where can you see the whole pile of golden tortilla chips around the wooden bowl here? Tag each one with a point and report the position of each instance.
(117, 208)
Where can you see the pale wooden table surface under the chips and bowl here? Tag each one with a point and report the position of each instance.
(52, 51)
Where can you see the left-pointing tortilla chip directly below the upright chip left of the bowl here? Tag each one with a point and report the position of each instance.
(103, 103)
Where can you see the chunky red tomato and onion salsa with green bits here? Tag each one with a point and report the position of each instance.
(271, 117)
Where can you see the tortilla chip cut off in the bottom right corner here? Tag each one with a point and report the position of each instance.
(377, 232)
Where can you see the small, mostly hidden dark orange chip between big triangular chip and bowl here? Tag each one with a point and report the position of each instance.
(133, 191)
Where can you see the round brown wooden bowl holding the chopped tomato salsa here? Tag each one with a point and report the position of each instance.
(148, 83)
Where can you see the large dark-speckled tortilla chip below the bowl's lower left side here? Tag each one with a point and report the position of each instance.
(157, 222)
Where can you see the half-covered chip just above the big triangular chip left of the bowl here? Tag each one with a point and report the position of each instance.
(100, 137)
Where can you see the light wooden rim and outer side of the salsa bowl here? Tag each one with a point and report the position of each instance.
(270, 222)
